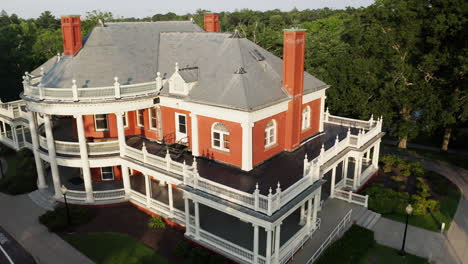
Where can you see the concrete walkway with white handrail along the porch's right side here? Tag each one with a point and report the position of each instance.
(332, 213)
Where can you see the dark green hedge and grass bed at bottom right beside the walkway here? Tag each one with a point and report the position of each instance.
(357, 246)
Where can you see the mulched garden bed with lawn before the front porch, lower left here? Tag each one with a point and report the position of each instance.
(124, 234)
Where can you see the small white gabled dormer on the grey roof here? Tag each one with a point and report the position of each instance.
(183, 80)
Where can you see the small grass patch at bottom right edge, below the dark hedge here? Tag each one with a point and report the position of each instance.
(379, 254)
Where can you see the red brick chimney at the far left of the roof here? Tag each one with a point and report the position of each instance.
(71, 34)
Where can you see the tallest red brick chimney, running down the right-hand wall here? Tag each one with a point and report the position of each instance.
(293, 83)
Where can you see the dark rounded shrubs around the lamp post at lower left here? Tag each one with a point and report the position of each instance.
(56, 220)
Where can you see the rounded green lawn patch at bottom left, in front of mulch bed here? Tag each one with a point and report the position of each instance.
(114, 248)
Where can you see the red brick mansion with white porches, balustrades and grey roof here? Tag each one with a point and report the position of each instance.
(202, 127)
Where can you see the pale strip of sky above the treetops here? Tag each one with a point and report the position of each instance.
(144, 8)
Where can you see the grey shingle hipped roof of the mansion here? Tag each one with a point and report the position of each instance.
(135, 51)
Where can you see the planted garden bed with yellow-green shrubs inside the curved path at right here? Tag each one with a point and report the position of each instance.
(400, 182)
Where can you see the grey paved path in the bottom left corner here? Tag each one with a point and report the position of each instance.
(19, 217)
